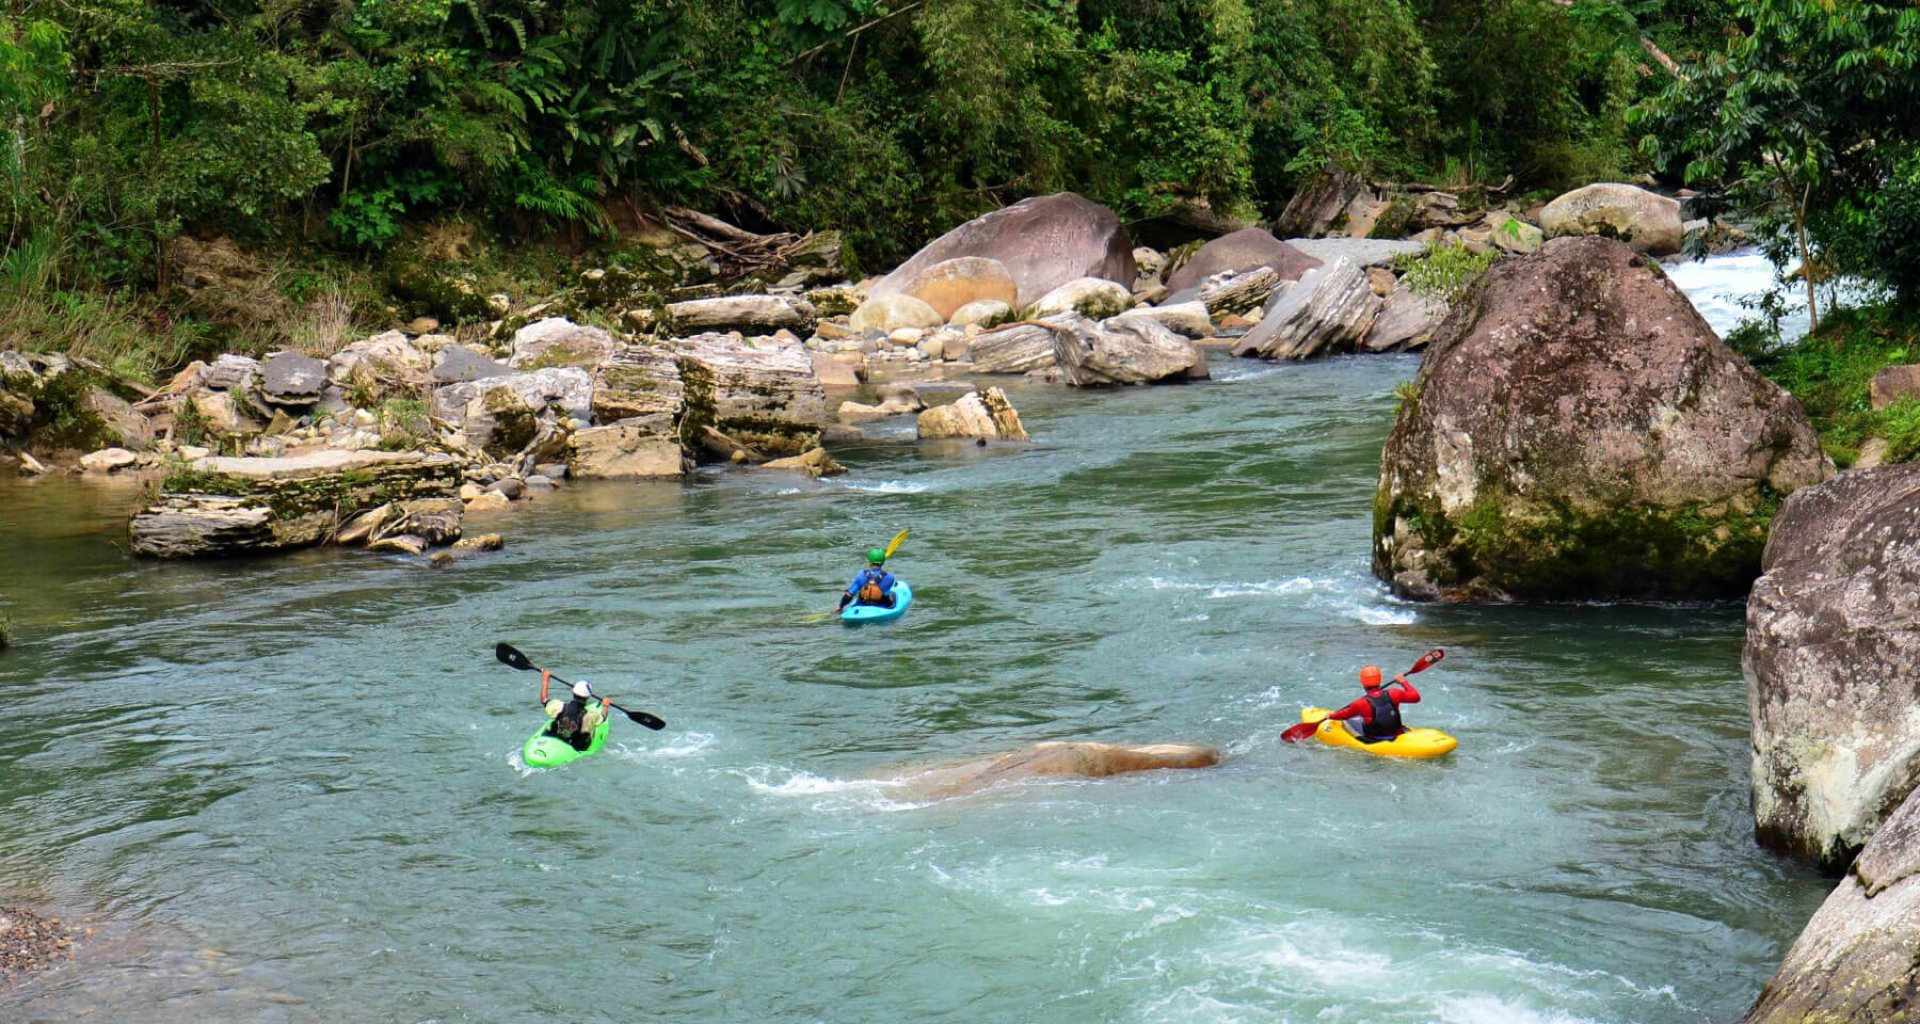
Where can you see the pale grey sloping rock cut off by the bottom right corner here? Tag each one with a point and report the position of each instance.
(1856, 960)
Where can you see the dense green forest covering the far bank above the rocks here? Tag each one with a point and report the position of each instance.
(348, 124)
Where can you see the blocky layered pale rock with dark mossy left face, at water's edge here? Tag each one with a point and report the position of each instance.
(761, 395)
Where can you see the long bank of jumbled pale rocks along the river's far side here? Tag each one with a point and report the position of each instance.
(648, 376)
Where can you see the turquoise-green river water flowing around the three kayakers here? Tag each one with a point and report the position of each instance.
(289, 791)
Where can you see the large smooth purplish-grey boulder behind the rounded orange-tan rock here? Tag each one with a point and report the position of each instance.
(1044, 243)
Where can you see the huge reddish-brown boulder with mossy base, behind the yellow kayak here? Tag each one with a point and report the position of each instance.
(1579, 431)
